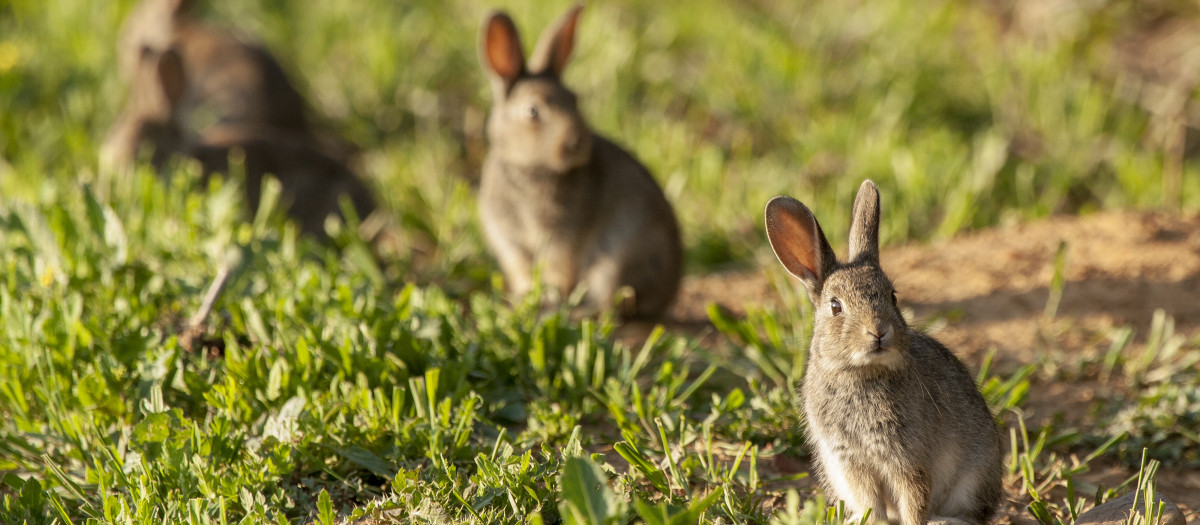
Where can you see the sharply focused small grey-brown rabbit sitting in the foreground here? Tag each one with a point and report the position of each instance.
(895, 420)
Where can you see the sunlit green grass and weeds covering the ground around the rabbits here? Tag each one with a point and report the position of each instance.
(331, 388)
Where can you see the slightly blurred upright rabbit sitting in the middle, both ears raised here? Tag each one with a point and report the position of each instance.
(554, 195)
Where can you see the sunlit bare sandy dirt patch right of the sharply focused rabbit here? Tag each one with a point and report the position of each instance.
(1119, 269)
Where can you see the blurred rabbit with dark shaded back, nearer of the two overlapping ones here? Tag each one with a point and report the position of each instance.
(313, 182)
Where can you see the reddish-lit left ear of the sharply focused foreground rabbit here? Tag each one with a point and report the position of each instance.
(799, 243)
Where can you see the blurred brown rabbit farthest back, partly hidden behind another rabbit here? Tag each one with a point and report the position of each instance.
(232, 80)
